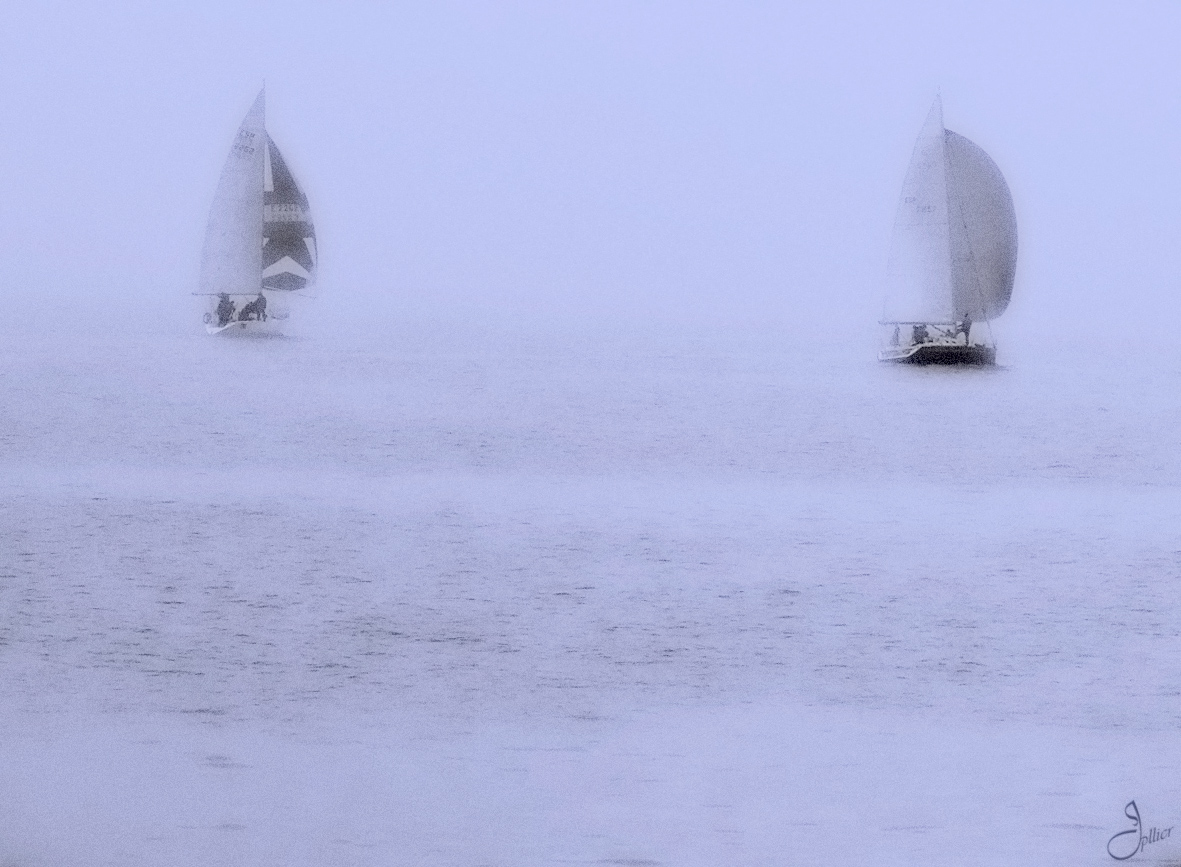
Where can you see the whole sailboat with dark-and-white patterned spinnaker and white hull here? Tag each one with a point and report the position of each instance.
(260, 252)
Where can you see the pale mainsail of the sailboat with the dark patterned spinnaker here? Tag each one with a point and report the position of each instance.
(232, 258)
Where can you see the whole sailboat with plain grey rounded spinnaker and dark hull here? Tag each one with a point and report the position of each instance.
(954, 255)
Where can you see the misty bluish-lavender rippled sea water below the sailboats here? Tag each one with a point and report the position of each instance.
(526, 595)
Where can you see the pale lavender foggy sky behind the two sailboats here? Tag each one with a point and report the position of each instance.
(631, 159)
